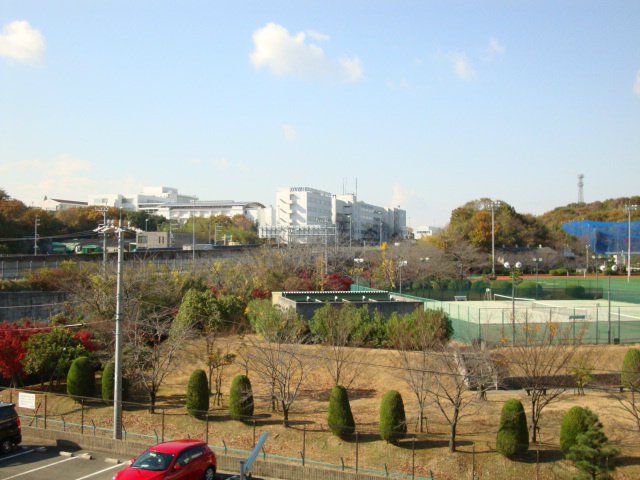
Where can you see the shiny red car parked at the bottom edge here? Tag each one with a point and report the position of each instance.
(176, 460)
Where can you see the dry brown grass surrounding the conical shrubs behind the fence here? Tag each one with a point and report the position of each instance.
(309, 417)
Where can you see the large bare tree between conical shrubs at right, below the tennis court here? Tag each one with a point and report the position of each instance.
(542, 357)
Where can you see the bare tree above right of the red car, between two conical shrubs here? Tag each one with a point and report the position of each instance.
(279, 361)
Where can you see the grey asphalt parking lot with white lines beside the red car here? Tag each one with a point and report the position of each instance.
(37, 462)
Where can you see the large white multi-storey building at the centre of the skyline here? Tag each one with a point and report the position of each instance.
(307, 212)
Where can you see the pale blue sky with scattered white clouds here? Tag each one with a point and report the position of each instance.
(421, 104)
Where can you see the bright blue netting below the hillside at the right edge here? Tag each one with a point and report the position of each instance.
(606, 237)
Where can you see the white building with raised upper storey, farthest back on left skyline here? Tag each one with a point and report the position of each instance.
(149, 200)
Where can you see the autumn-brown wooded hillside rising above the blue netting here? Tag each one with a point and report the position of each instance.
(611, 210)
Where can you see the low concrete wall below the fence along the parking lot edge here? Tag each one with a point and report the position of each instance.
(226, 463)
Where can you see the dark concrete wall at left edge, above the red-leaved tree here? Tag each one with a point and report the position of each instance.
(17, 305)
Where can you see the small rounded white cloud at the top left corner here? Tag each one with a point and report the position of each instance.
(19, 41)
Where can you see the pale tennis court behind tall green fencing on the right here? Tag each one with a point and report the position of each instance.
(503, 320)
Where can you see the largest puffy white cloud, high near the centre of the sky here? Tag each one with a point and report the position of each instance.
(285, 54)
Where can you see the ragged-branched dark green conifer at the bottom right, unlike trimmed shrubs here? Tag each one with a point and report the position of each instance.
(591, 452)
